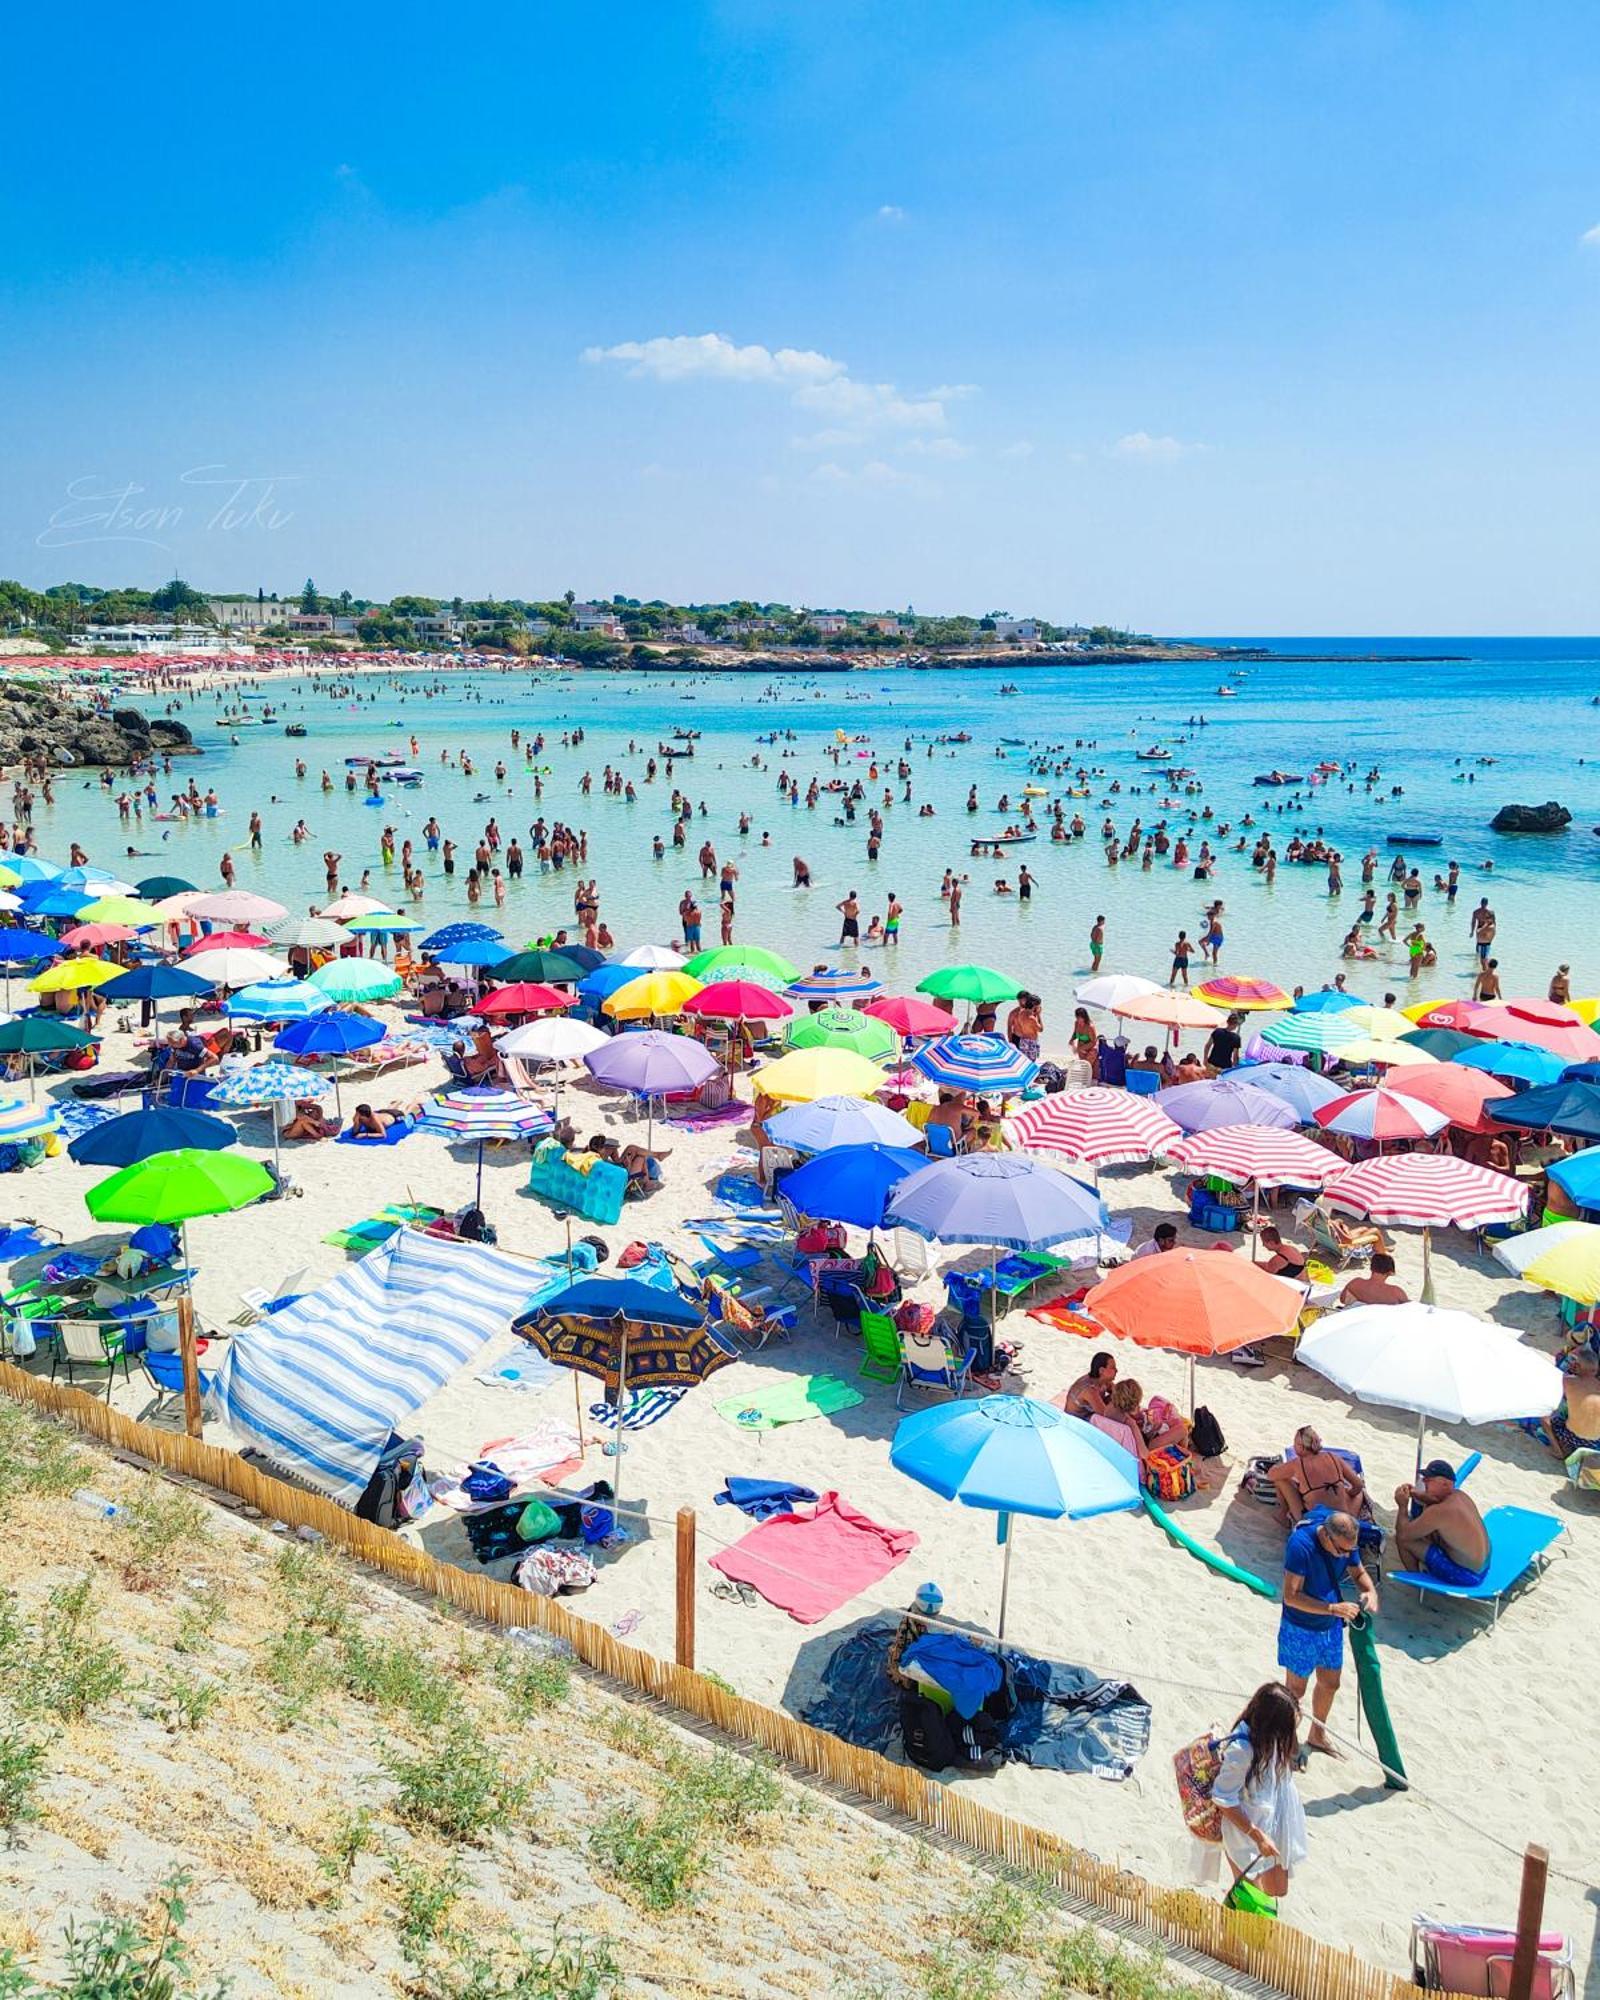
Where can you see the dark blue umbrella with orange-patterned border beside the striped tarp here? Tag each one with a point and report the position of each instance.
(629, 1335)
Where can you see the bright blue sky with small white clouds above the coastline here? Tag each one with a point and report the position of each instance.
(1199, 317)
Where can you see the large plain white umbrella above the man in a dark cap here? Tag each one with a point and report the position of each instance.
(1445, 1367)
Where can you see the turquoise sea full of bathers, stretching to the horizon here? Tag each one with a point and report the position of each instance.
(1425, 725)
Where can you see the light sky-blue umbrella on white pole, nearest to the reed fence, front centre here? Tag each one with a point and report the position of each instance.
(1013, 1457)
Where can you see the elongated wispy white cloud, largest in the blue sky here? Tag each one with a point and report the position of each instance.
(815, 383)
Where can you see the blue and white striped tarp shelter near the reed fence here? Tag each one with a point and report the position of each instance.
(327, 1381)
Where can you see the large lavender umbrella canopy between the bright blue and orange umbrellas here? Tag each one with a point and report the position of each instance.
(1001, 1201)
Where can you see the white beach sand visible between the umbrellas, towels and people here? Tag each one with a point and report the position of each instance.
(1497, 1729)
